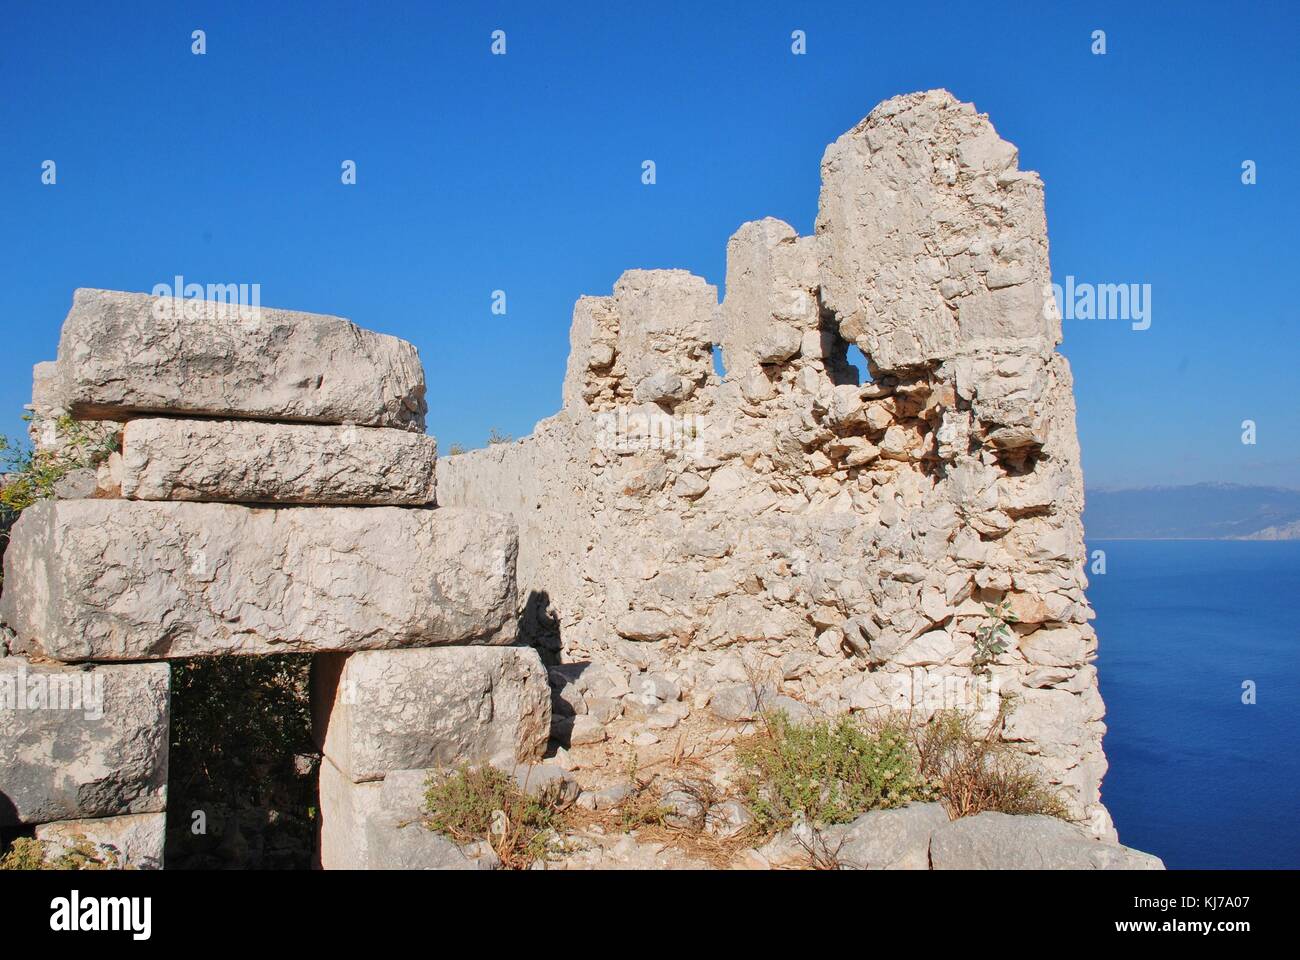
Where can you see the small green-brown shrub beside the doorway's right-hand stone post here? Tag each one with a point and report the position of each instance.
(482, 803)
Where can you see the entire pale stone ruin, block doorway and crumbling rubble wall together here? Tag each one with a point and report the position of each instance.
(779, 534)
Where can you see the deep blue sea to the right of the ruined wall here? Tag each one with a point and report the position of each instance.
(1198, 777)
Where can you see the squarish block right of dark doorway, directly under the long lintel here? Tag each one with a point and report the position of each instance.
(385, 711)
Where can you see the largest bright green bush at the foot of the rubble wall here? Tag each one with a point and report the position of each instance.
(826, 771)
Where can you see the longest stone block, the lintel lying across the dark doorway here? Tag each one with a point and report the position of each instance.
(103, 580)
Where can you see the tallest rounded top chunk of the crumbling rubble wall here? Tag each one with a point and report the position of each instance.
(933, 243)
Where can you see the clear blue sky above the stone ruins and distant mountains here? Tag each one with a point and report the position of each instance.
(479, 172)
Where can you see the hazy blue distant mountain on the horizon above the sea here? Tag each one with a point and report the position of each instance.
(1199, 512)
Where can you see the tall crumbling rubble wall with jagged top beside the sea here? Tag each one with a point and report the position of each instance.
(843, 542)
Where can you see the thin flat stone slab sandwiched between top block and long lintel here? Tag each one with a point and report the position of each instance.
(246, 461)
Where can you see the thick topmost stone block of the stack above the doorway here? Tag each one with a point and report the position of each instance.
(125, 353)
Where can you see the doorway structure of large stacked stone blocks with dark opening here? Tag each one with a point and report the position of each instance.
(274, 494)
